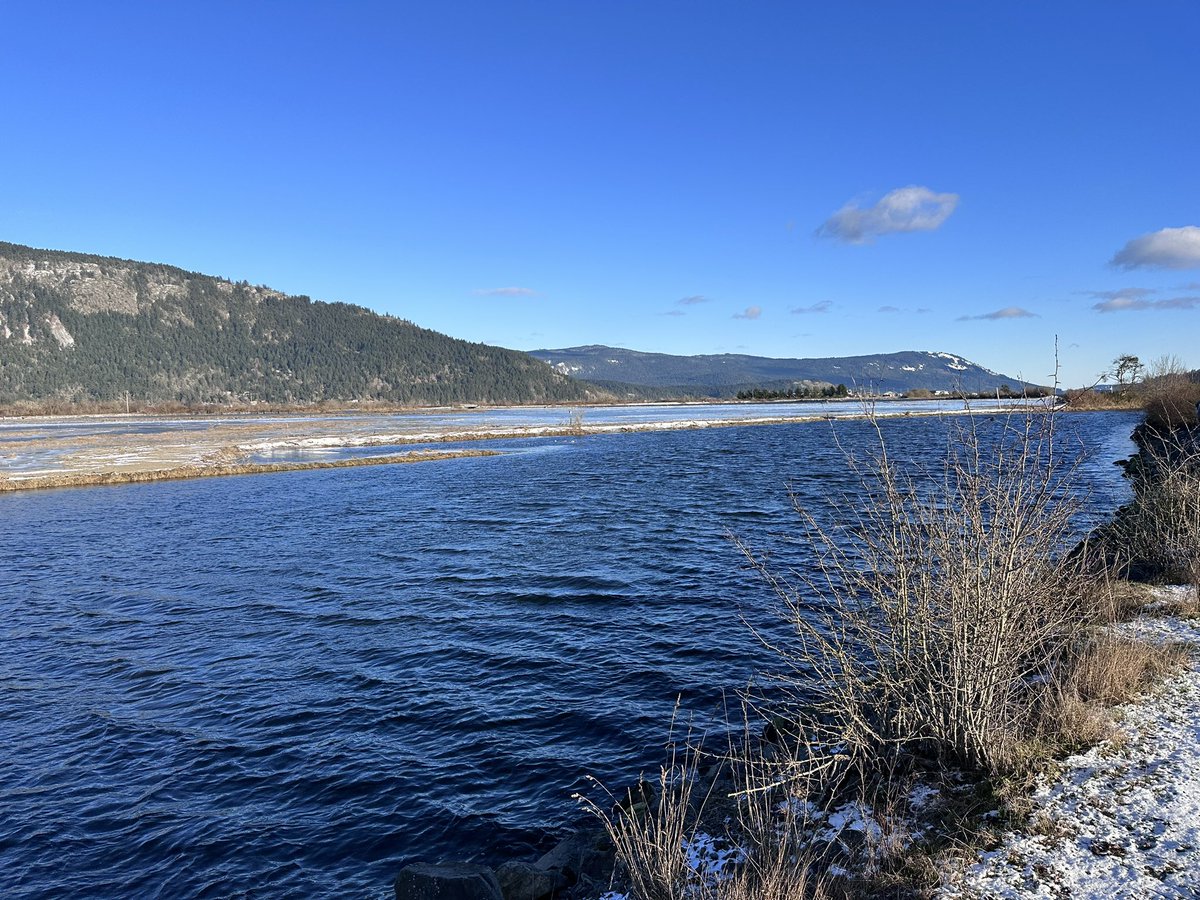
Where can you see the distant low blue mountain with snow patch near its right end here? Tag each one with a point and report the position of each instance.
(727, 374)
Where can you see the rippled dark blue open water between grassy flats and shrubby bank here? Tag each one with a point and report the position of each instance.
(292, 685)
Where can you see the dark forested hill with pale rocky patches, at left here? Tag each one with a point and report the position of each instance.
(77, 328)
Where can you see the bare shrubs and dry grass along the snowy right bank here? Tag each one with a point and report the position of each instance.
(952, 646)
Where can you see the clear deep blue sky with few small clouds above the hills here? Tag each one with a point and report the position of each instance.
(779, 179)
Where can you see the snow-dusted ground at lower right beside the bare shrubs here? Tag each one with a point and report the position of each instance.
(1121, 821)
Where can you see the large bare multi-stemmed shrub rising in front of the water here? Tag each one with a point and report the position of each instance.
(934, 619)
